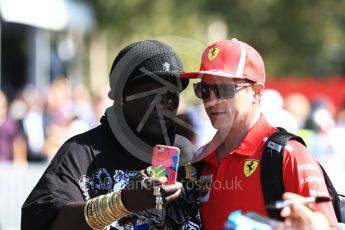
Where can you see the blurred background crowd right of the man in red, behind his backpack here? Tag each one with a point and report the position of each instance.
(318, 121)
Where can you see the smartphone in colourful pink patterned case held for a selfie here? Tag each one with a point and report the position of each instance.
(165, 162)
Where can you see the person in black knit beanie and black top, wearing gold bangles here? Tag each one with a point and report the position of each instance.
(99, 179)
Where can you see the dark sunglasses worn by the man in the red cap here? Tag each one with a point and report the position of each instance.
(222, 91)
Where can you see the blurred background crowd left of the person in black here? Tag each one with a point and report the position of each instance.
(36, 123)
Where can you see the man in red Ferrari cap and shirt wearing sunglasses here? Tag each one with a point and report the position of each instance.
(232, 81)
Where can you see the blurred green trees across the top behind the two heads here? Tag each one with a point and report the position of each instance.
(295, 37)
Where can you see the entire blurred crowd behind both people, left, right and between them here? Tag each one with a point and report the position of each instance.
(36, 123)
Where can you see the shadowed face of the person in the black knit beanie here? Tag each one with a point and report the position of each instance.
(150, 109)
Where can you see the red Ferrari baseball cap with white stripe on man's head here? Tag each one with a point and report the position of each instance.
(230, 58)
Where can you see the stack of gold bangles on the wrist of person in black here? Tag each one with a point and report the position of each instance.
(103, 210)
